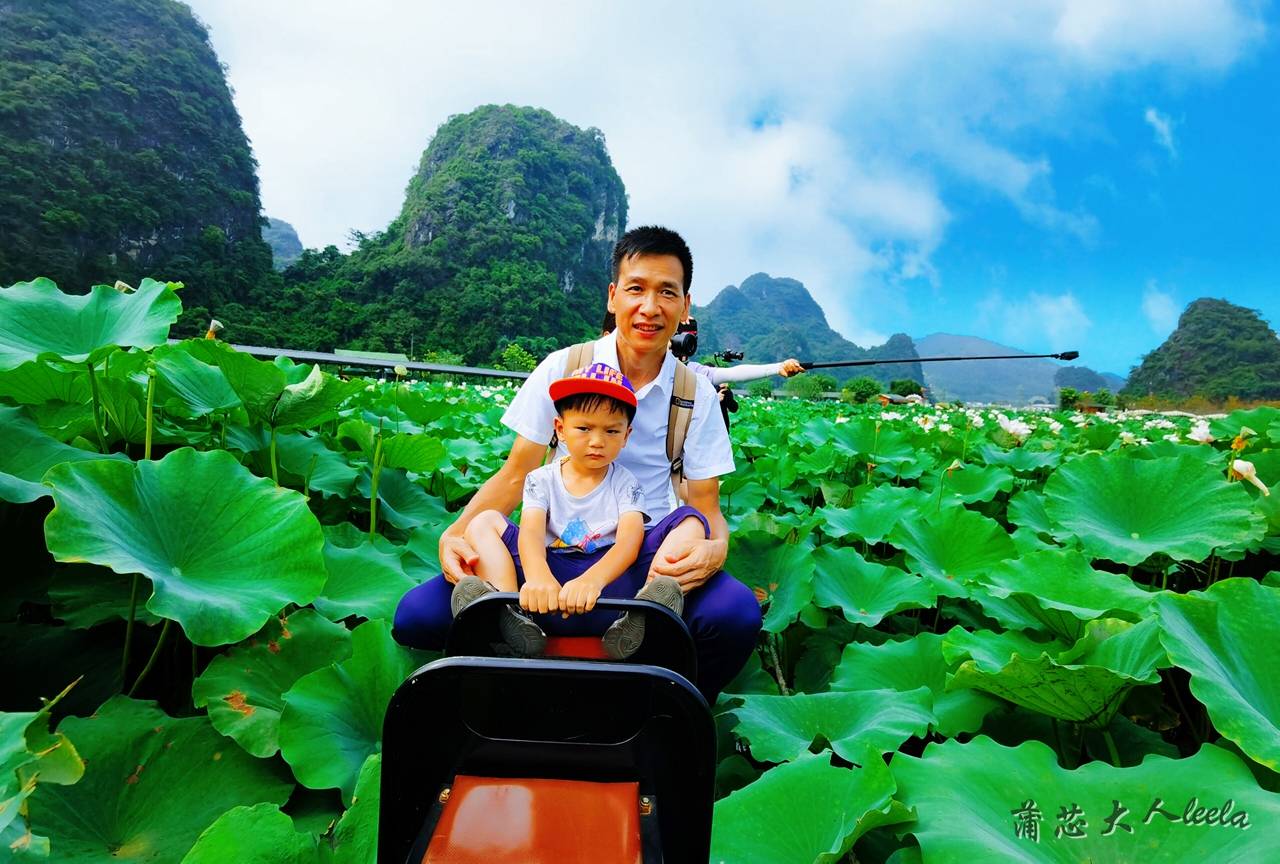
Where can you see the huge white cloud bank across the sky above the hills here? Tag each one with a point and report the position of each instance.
(875, 113)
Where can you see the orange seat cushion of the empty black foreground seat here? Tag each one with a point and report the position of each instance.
(491, 820)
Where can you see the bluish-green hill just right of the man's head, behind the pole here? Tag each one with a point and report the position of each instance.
(771, 319)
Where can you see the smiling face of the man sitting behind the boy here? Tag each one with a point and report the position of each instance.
(648, 301)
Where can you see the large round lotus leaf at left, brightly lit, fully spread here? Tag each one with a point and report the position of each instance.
(223, 550)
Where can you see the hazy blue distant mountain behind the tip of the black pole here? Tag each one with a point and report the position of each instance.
(1020, 382)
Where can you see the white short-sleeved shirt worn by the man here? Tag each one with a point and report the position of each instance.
(707, 449)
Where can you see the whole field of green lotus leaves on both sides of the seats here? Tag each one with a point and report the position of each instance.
(988, 636)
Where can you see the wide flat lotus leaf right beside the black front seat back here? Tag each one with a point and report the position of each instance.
(783, 728)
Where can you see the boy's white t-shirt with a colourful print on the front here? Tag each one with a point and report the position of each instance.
(588, 523)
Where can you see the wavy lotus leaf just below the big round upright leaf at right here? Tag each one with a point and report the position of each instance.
(1059, 592)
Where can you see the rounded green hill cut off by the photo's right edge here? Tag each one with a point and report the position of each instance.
(1219, 350)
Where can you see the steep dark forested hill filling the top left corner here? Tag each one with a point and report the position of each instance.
(121, 152)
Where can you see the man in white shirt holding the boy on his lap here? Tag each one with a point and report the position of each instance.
(650, 296)
